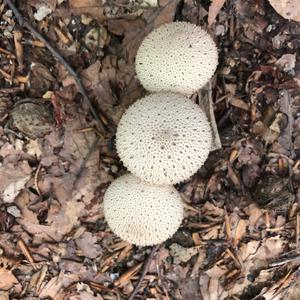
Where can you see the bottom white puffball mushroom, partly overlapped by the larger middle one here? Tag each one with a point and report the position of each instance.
(141, 213)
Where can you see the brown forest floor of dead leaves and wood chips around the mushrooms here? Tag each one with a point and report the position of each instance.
(240, 235)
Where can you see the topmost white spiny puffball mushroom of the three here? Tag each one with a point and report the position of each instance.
(177, 57)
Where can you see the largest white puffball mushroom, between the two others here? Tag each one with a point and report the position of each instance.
(163, 138)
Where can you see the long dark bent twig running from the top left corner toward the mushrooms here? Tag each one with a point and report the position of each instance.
(58, 56)
